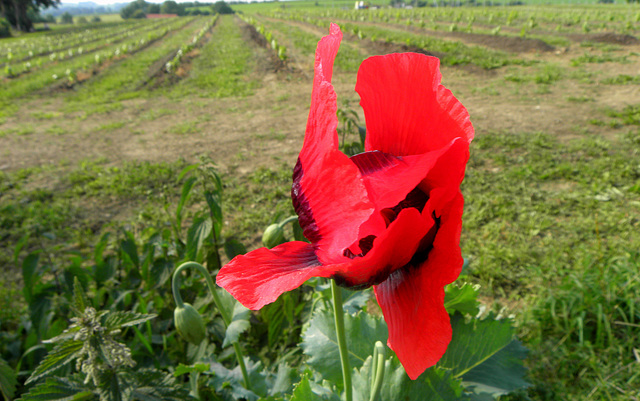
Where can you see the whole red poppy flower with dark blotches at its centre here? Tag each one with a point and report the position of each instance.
(389, 217)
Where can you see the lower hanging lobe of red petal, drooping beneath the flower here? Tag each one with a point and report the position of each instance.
(413, 307)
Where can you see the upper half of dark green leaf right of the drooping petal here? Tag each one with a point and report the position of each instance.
(474, 342)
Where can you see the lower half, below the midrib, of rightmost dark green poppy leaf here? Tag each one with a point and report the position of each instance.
(500, 374)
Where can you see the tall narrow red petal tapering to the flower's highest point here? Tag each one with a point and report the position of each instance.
(328, 193)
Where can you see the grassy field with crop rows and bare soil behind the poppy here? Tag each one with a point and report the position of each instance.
(552, 190)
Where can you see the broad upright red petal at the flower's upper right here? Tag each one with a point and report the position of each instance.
(406, 109)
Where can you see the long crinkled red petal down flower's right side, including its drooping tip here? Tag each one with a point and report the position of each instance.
(412, 298)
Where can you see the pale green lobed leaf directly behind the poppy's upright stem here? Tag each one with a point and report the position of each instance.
(319, 342)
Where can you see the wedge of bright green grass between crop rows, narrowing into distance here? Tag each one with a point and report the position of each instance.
(224, 66)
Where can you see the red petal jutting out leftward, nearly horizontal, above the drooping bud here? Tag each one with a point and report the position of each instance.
(259, 277)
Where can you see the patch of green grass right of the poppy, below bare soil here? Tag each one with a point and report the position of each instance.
(552, 227)
